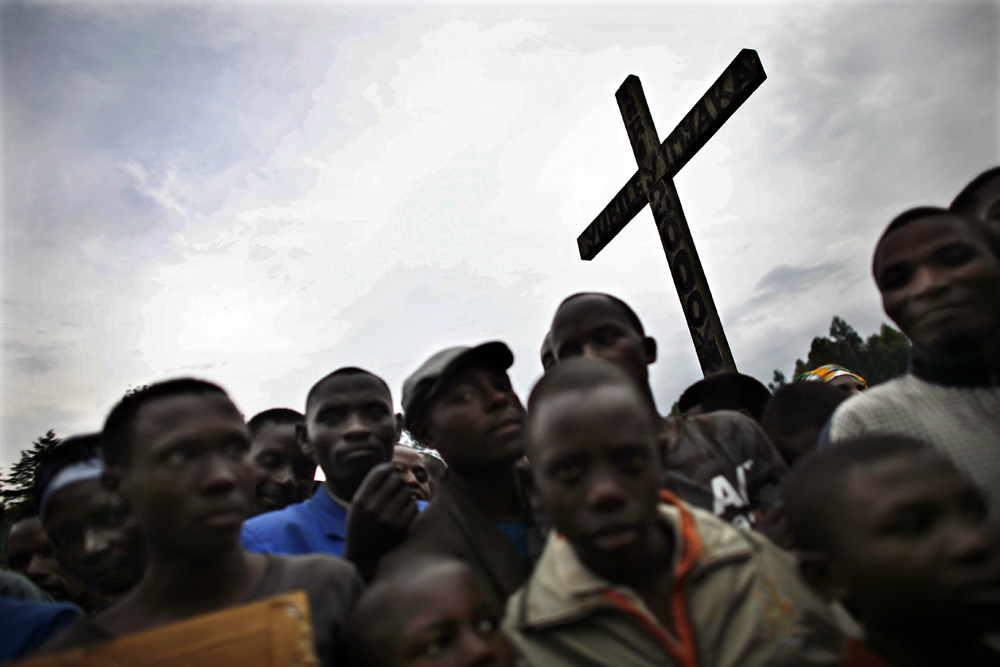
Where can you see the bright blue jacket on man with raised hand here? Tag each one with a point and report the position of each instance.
(317, 525)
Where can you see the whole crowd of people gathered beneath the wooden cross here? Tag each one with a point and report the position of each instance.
(827, 524)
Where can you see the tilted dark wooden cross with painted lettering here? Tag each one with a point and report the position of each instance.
(653, 183)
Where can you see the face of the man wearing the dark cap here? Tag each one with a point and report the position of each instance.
(476, 420)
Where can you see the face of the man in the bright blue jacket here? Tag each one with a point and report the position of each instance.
(350, 428)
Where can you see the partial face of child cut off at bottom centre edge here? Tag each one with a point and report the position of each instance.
(445, 620)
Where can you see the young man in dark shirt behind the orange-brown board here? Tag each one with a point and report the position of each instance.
(177, 452)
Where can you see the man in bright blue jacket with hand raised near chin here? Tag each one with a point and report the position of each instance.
(350, 429)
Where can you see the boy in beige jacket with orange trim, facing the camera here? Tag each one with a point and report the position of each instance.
(633, 576)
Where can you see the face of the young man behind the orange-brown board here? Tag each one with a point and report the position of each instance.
(189, 480)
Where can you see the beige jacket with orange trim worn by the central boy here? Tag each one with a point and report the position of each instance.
(737, 600)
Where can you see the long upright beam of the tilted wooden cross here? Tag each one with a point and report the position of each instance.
(710, 342)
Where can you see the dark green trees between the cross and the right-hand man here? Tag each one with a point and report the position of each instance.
(883, 356)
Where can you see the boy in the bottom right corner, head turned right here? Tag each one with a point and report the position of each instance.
(889, 527)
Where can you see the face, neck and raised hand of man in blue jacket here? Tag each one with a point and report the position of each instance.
(350, 430)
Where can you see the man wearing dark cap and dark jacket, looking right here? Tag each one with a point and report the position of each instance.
(461, 403)
